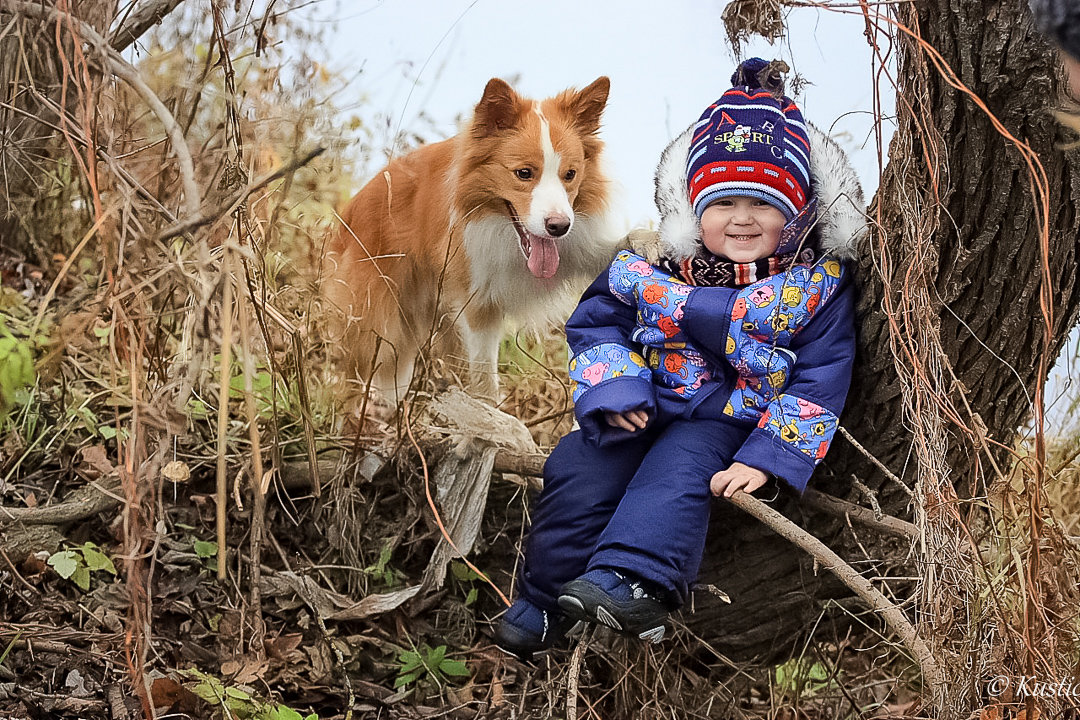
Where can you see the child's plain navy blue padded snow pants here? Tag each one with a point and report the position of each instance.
(640, 506)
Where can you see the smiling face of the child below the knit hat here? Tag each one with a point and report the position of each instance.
(742, 229)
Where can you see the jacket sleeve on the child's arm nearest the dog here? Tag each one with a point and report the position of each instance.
(607, 371)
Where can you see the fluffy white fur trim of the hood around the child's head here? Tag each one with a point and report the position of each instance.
(842, 208)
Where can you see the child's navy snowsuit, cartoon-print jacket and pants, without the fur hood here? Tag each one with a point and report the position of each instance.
(757, 375)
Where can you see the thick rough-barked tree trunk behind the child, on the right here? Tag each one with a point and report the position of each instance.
(982, 291)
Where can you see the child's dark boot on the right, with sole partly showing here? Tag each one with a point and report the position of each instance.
(623, 603)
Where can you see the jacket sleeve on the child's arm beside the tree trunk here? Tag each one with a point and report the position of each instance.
(796, 429)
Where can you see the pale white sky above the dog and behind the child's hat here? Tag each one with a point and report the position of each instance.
(667, 61)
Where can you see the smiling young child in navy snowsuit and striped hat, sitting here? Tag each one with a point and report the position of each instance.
(712, 371)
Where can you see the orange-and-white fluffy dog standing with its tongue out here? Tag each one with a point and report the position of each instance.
(501, 226)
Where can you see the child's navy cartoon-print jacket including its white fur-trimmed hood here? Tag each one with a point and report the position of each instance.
(715, 351)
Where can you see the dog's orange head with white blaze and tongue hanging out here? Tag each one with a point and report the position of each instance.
(536, 164)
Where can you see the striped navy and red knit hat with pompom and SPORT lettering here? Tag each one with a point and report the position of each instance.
(752, 142)
